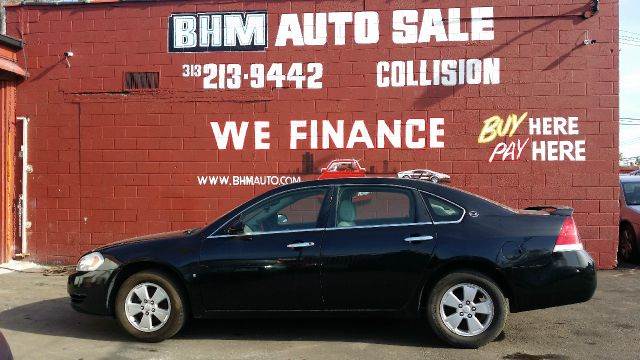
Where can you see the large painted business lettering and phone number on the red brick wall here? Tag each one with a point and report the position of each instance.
(234, 31)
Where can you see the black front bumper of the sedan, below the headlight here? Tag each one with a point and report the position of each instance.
(89, 291)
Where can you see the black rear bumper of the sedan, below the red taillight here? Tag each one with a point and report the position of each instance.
(570, 278)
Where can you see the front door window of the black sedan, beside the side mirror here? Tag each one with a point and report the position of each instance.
(295, 210)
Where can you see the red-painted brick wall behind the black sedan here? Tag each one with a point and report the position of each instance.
(109, 165)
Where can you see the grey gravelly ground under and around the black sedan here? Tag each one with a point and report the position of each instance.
(38, 323)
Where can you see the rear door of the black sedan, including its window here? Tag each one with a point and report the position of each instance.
(378, 244)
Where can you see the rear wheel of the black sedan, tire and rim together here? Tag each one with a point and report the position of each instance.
(488, 308)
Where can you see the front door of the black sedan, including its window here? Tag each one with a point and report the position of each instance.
(267, 258)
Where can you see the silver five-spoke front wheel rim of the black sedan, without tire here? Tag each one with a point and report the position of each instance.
(147, 307)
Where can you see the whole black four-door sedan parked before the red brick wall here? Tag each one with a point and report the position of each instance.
(345, 246)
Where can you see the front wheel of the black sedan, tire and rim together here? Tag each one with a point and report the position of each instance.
(166, 315)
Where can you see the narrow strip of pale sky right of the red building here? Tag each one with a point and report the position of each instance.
(630, 77)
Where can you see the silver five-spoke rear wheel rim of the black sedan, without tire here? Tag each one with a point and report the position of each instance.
(466, 309)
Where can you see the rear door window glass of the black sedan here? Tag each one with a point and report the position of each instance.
(371, 206)
